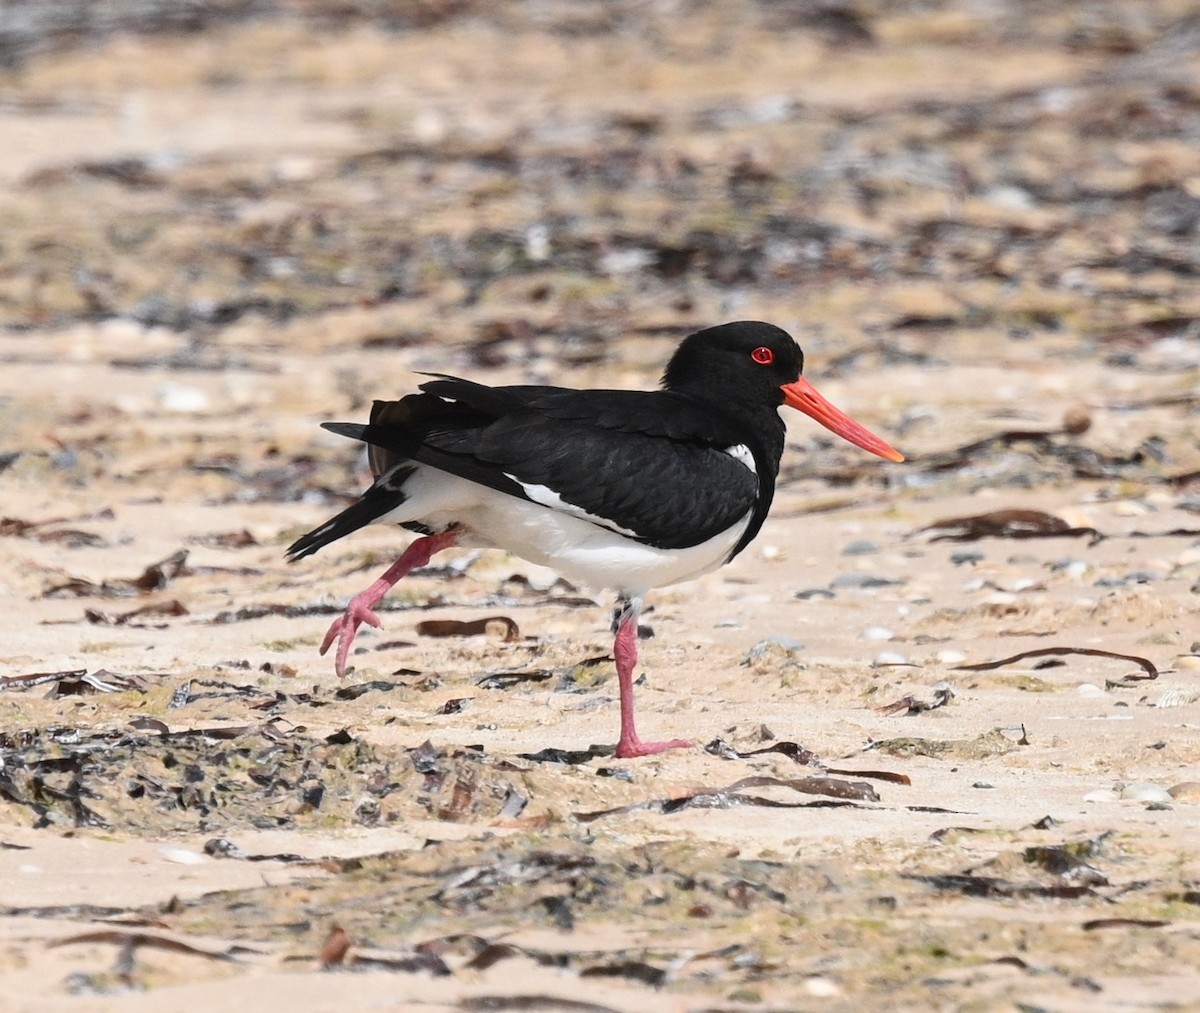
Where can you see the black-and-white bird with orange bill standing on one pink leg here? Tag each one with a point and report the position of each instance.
(626, 490)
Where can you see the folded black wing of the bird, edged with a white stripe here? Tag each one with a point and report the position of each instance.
(649, 464)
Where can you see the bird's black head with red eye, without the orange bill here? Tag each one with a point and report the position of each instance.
(748, 362)
